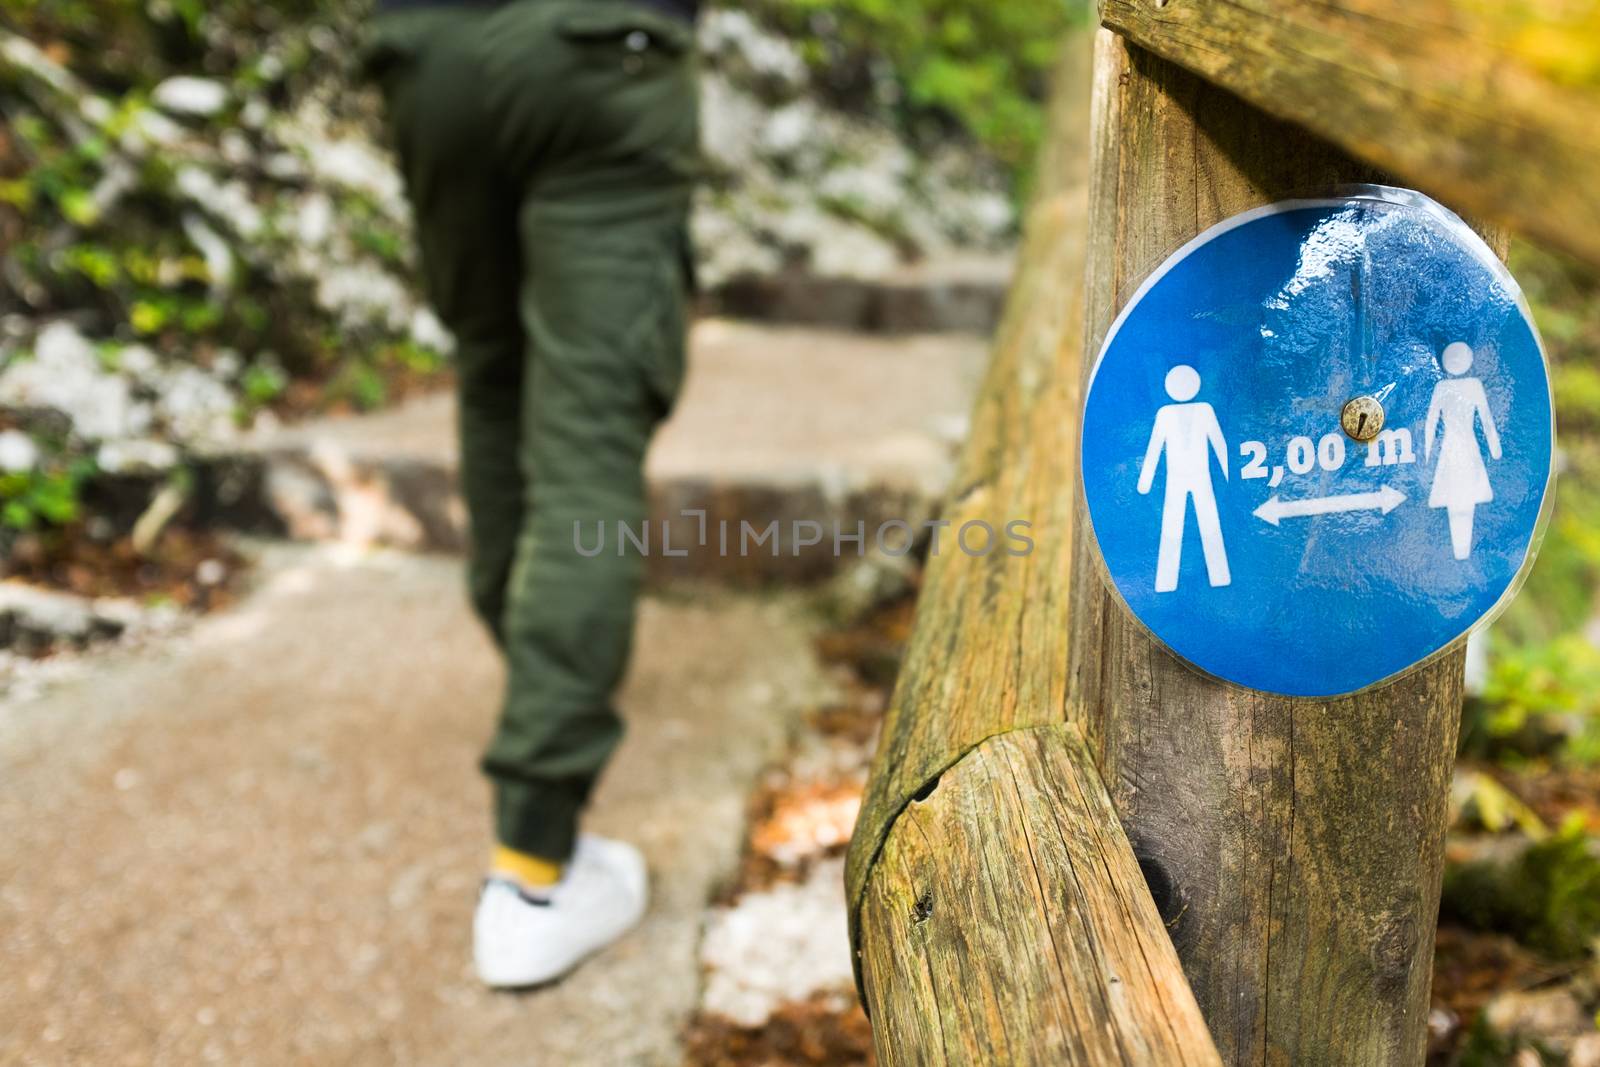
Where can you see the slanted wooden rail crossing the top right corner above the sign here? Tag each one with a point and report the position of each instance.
(1489, 106)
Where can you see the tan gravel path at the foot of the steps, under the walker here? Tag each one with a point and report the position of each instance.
(262, 845)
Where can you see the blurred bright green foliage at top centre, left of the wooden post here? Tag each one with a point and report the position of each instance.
(978, 63)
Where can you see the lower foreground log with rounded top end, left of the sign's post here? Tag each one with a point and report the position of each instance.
(1009, 924)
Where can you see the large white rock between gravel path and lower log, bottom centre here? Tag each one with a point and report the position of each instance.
(778, 948)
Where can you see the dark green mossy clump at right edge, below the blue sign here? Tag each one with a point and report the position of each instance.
(1548, 897)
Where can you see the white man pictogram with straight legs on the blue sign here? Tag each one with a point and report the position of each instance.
(1186, 434)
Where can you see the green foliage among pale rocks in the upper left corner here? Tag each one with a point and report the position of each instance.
(103, 228)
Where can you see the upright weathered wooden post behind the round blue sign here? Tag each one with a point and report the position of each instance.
(1295, 845)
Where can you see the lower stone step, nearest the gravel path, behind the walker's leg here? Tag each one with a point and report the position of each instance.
(812, 430)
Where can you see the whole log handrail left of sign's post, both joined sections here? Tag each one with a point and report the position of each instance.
(998, 909)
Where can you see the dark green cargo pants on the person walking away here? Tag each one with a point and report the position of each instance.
(548, 150)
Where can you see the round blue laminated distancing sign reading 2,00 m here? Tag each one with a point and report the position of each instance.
(1318, 442)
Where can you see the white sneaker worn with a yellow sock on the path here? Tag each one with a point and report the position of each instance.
(522, 938)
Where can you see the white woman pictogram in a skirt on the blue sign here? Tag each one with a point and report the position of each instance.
(1462, 482)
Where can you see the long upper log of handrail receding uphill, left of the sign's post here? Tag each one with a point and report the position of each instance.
(988, 652)
